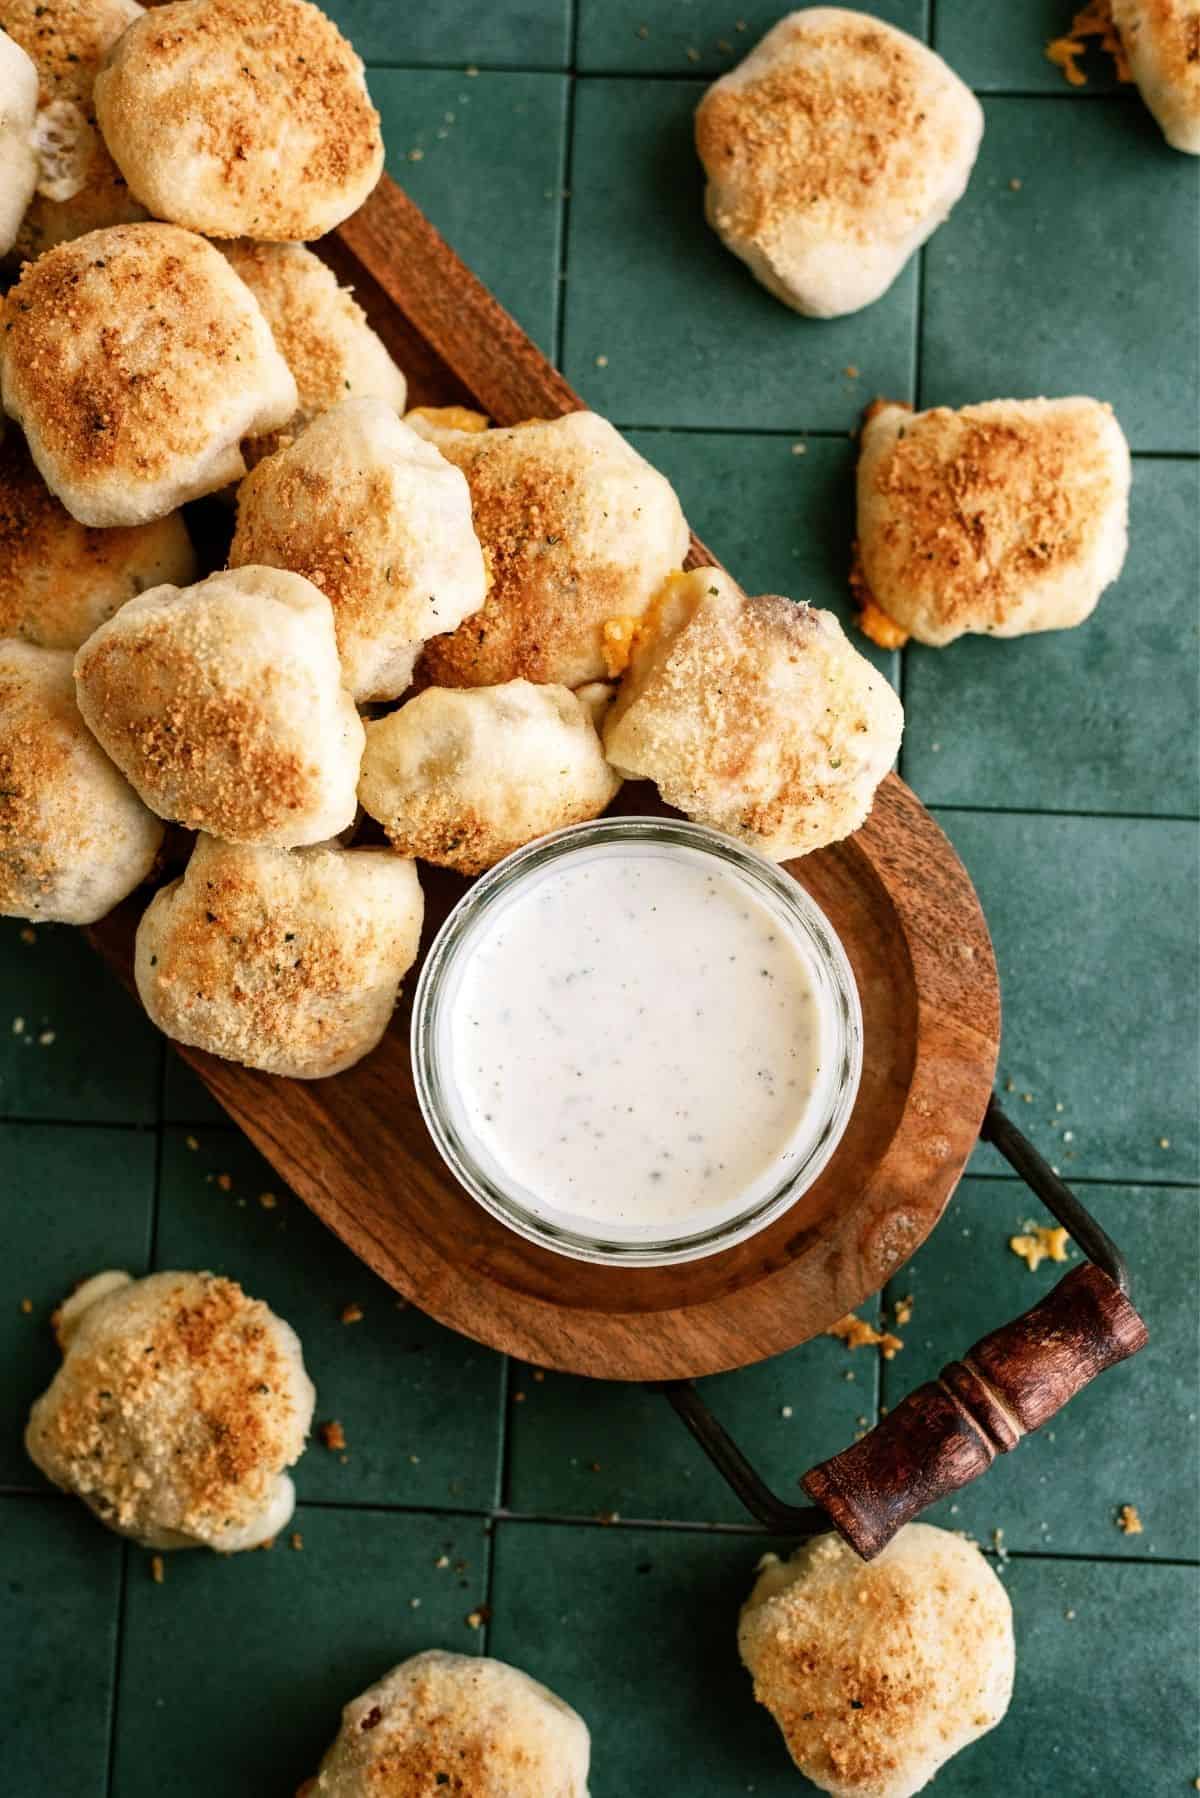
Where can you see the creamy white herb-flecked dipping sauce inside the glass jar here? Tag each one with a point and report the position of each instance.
(638, 1040)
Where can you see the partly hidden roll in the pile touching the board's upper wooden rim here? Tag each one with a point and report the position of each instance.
(321, 334)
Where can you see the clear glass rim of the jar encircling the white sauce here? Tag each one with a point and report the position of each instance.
(431, 1076)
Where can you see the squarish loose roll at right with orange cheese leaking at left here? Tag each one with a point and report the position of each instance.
(999, 519)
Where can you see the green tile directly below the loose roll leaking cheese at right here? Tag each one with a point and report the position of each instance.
(1073, 720)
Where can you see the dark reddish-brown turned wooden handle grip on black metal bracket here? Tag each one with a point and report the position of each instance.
(949, 1432)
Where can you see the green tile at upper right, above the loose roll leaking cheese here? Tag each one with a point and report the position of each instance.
(1044, 290)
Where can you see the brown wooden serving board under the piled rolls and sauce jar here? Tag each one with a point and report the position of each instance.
(357, 1150)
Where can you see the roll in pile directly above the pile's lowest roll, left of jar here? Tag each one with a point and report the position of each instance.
(224, 706)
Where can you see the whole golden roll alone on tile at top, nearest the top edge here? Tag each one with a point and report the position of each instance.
(832, 154)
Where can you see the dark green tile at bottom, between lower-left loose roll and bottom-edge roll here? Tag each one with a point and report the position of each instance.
(235, 1671)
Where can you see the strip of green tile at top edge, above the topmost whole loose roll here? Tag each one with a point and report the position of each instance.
(694, 37)
